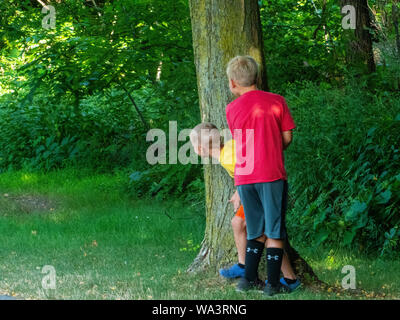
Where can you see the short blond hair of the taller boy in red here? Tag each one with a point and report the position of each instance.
(244, 70)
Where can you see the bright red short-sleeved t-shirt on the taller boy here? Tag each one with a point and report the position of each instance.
(261, 117)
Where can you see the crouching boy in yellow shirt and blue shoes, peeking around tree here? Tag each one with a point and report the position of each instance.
(206, 141)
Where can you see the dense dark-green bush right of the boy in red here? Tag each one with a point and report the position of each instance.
(344, 167)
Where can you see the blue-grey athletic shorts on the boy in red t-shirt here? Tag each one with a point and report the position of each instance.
(265, 206)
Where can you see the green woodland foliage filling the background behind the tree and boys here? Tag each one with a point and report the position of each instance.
(84, 94)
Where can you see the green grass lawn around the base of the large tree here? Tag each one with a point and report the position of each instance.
(106, 245)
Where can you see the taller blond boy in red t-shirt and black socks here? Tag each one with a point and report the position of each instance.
(261, 124)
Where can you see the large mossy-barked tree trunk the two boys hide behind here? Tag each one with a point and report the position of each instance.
(221, 30)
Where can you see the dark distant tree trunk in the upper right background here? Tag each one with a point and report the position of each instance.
(359, 55)
